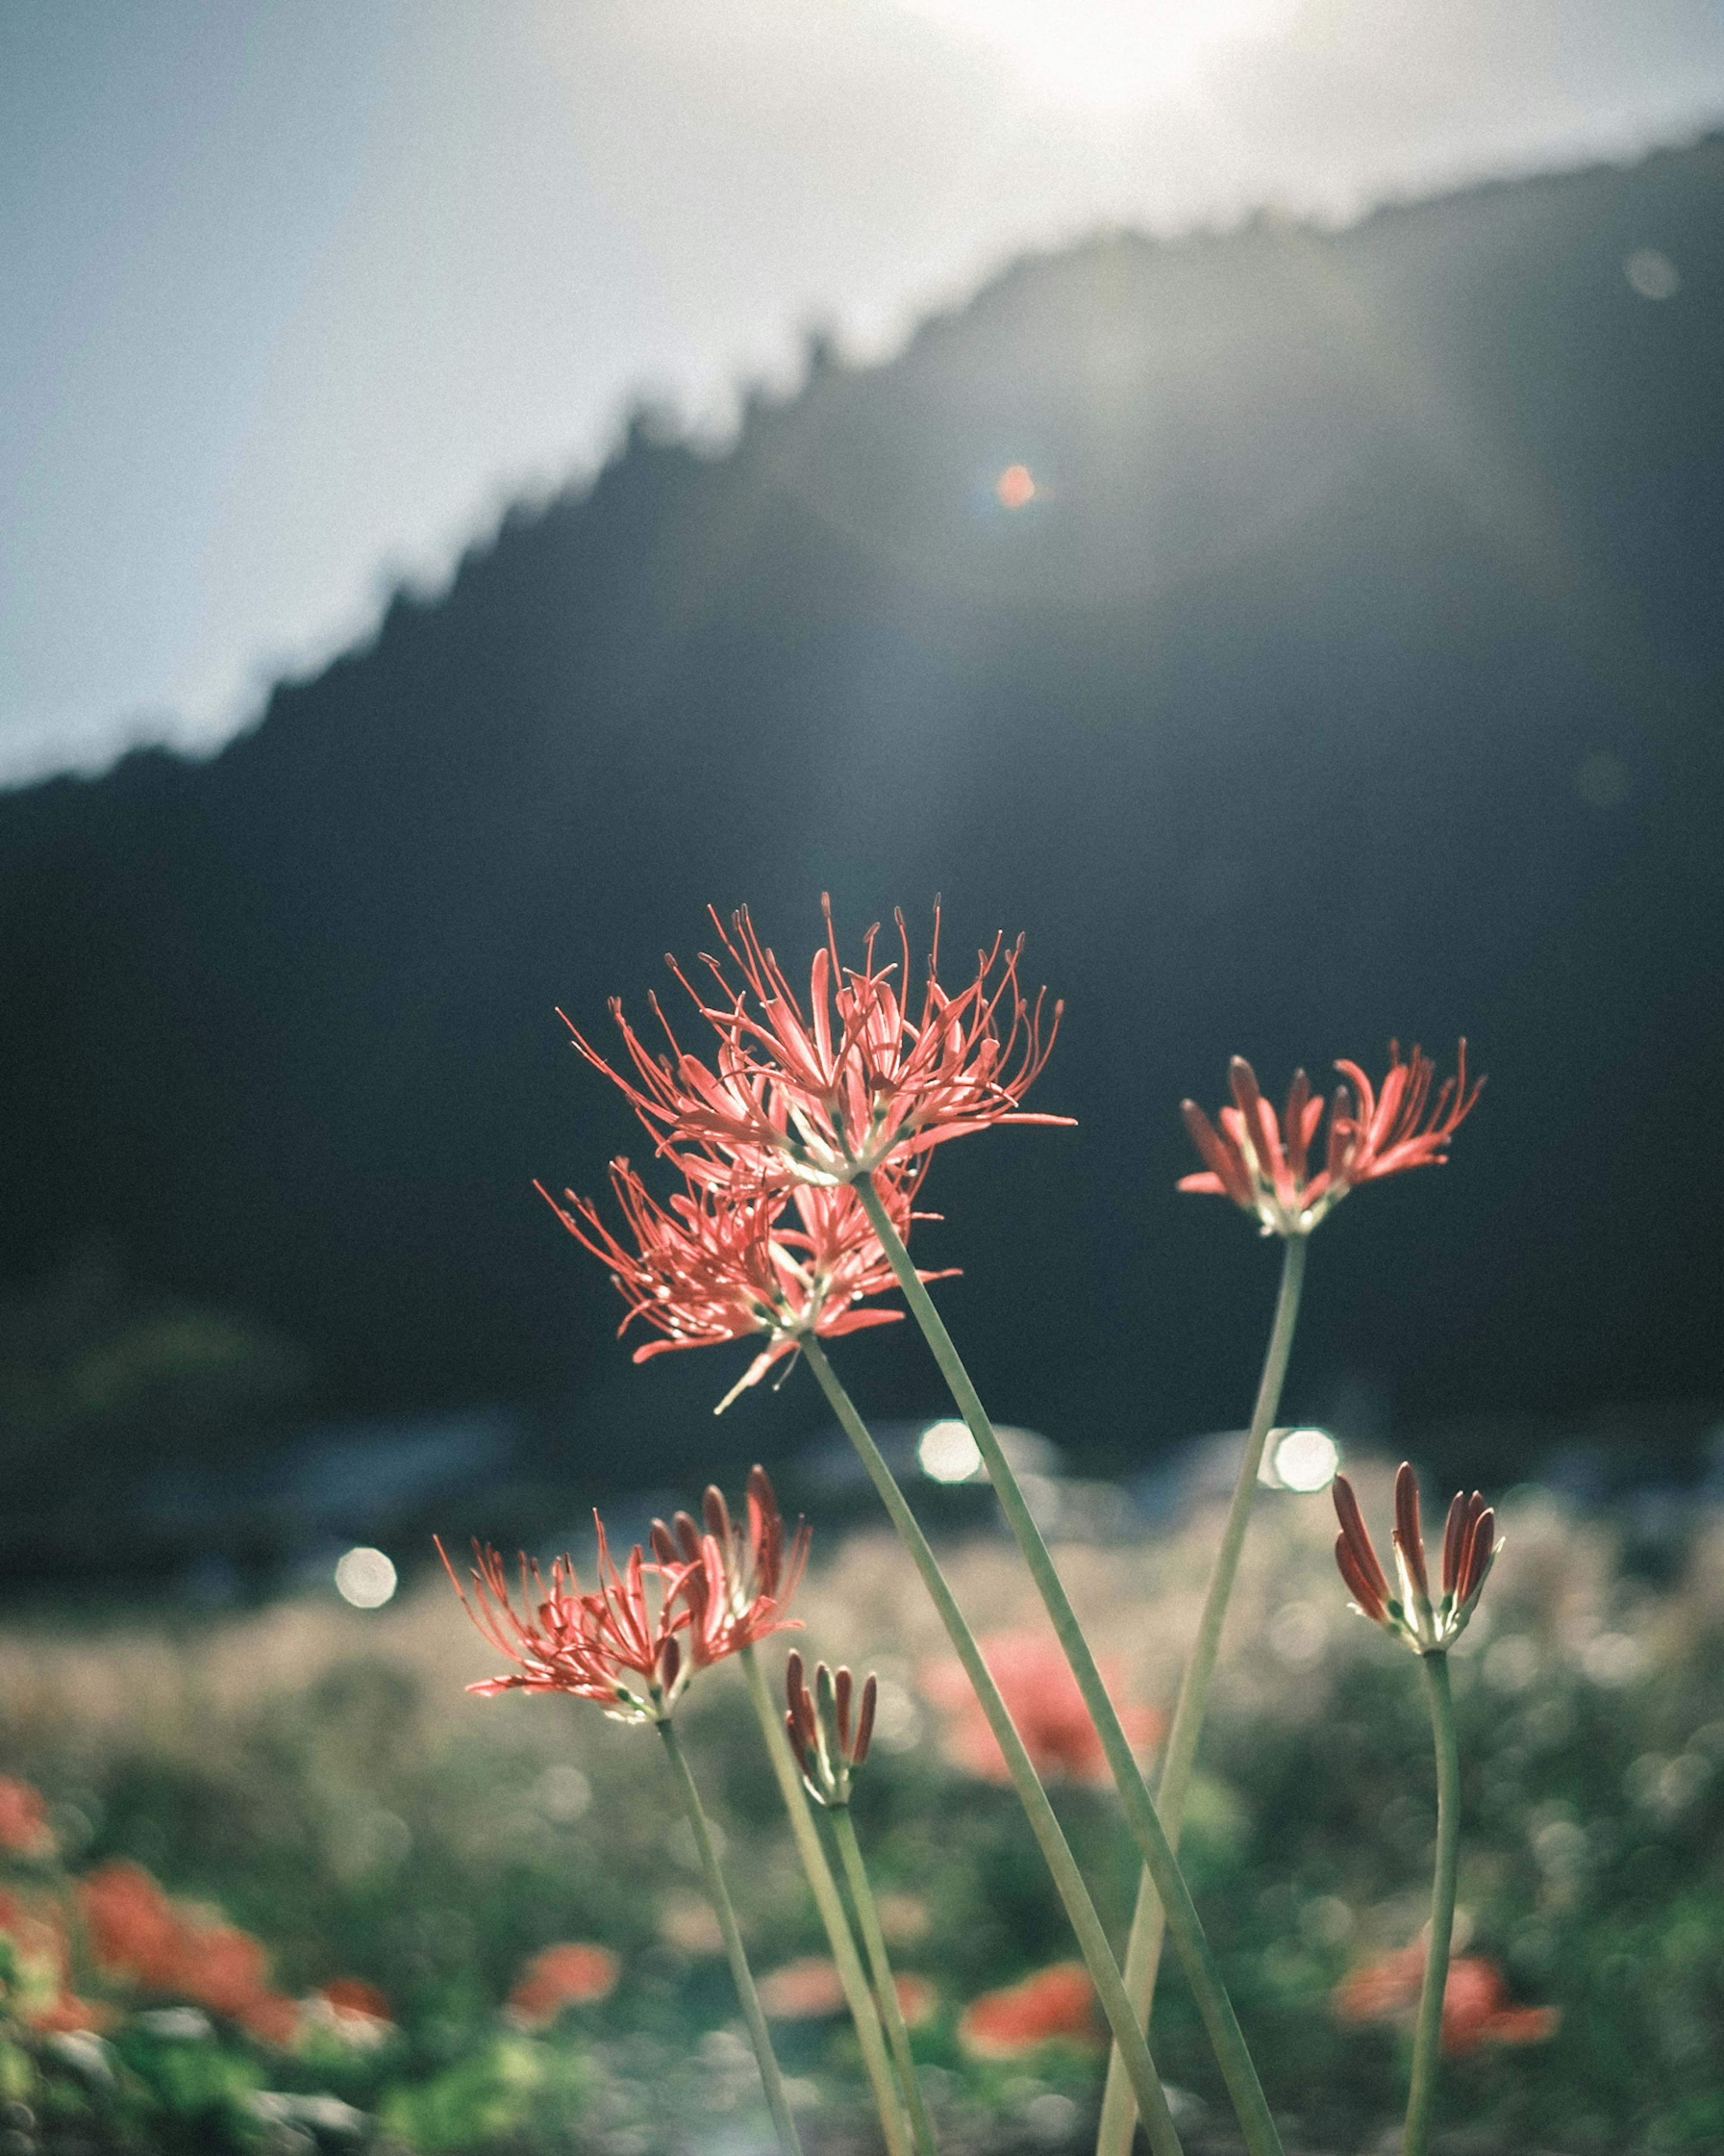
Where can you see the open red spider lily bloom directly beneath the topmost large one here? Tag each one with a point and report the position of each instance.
(740, 1258)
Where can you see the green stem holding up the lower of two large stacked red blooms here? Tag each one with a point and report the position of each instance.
(1057, 1855)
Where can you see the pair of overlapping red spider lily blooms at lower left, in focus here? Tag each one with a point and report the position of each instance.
(632, 1642)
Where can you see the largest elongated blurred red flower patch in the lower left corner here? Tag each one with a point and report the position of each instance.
(139, 1937)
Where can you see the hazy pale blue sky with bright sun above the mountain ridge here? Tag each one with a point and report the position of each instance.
(296, 294)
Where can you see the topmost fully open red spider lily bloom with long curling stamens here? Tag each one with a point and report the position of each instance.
(854, 1081)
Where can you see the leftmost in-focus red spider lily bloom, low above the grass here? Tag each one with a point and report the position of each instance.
(615, 1644)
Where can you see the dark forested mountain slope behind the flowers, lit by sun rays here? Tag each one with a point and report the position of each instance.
(1352, 674)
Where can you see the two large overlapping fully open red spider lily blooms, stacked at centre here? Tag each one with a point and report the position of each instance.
(768, 1236)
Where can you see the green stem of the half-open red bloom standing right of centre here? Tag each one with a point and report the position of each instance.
(1143, 1952)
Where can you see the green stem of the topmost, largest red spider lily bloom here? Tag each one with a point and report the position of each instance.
(1191, 1944)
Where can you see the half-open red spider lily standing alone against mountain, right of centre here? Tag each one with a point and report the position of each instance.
(1264, 1165)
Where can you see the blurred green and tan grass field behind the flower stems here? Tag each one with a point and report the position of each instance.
(324, 1780)
